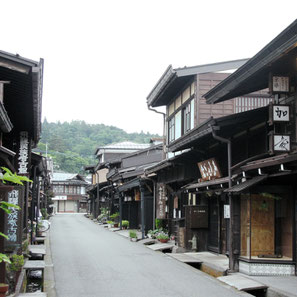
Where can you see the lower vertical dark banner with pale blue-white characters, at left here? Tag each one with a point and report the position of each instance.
(13, 220)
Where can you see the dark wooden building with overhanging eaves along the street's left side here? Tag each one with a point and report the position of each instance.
(21, 82)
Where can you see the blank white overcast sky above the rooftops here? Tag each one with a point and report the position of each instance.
(102, 58)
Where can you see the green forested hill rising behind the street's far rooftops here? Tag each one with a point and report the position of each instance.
(72, 145)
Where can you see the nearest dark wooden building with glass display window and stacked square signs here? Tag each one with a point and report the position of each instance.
(263, 201)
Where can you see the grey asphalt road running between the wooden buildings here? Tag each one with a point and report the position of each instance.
(90, 261)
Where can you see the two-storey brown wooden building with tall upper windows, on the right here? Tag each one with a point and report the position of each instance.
(181, 91)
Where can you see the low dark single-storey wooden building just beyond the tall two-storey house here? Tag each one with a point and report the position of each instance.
(136, 192)
